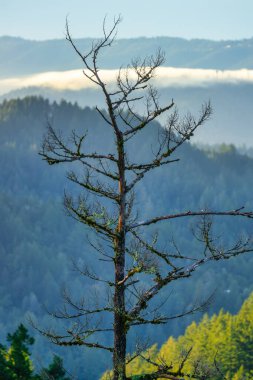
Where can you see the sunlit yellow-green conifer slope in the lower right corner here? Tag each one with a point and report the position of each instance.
(220, 346)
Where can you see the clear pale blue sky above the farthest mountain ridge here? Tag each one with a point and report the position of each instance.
(45, 19)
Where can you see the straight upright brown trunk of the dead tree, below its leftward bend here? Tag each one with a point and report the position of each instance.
(119, 353)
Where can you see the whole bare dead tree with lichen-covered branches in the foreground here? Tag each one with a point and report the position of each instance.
(112, 178)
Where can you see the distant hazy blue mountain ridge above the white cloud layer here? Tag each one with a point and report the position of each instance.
(22, 57)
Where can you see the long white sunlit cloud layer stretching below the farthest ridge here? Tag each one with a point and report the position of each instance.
(165, 76)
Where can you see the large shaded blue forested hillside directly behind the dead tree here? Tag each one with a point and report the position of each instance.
(38, 240)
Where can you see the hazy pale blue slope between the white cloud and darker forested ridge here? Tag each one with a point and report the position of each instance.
(231, 121)
